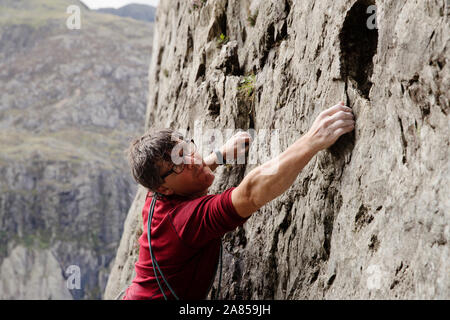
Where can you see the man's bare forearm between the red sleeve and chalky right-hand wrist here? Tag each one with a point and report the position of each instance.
(272, 178)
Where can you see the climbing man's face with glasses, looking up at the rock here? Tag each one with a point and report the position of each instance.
(194, 180)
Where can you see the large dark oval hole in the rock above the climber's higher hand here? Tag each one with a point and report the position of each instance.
(358, 46)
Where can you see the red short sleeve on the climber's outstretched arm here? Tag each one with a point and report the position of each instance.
(206, 218)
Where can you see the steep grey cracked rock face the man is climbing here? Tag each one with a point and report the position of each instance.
(367, 218)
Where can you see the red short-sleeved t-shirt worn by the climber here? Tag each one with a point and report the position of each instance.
(185, 237)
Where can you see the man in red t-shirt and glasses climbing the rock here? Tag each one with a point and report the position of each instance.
(187, 223)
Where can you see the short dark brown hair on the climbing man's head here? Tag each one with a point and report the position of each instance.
(146, 154)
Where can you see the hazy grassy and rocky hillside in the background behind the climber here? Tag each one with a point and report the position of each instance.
(70, 102)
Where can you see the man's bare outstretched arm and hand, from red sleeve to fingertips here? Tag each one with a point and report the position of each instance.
(271, 179)
